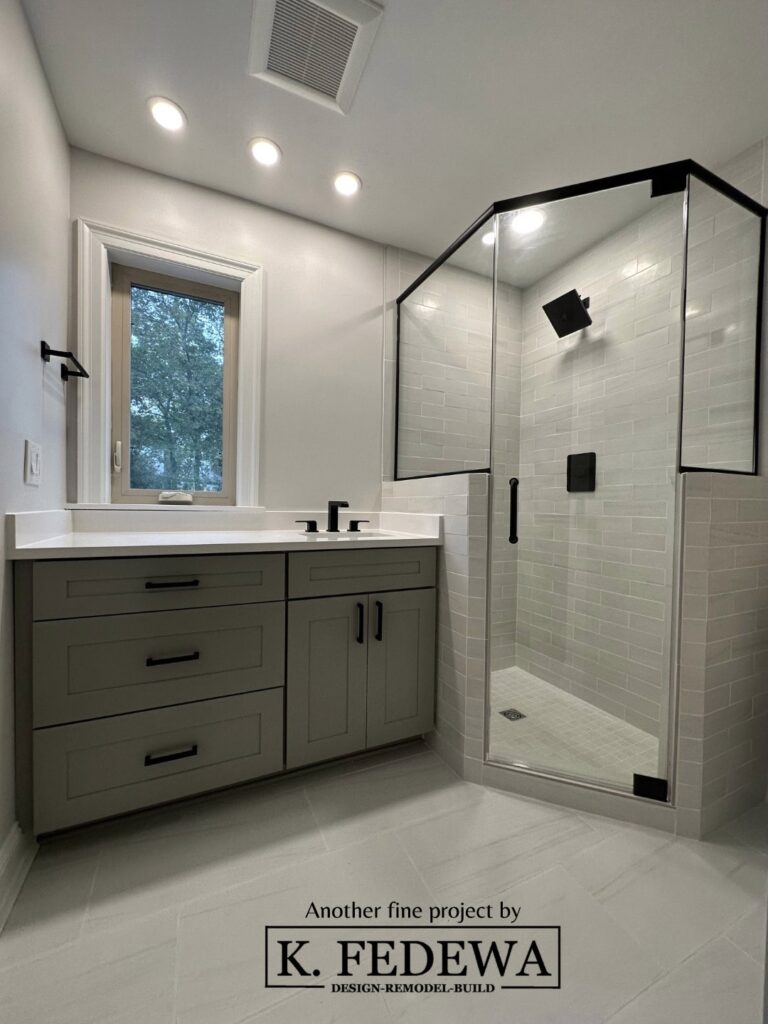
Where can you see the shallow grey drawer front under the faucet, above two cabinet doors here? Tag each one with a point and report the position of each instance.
(318, 574)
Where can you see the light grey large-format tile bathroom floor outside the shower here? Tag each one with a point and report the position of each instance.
(159, 919)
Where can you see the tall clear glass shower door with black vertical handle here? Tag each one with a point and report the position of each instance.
(586, 410)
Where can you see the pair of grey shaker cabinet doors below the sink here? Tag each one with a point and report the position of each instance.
(361, 673)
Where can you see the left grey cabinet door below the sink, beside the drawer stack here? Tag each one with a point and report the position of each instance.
(326, 697)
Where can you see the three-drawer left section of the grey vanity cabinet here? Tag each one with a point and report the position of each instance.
(144, 680)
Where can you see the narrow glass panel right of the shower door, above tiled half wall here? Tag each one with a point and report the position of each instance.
(720, 332)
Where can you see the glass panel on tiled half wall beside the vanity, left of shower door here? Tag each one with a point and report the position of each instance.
(444, 411)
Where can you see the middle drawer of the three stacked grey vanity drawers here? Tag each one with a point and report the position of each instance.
(91, 668)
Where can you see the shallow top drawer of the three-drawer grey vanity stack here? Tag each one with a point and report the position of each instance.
(112, 586)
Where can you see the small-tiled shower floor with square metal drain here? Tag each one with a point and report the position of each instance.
(563, 734)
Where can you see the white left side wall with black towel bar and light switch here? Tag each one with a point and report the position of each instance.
(34, 285)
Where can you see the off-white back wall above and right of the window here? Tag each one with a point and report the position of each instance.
(324, 332)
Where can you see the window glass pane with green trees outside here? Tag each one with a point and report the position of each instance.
(177, 392)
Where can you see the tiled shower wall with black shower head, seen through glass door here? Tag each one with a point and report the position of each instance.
(595, 570)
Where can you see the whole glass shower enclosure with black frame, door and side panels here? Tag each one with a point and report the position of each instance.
(585, 347)
